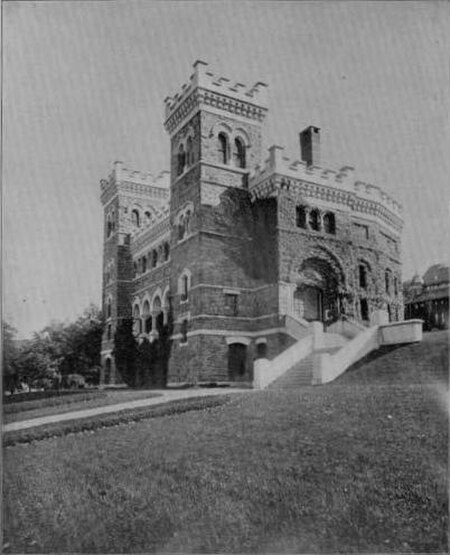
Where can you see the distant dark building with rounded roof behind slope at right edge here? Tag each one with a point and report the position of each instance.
(427, 298)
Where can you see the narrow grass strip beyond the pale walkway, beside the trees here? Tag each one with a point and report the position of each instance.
(26, 410)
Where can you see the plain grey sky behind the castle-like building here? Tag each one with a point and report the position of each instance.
(84, 84)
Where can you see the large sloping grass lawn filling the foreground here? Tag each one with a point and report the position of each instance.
(358, 465)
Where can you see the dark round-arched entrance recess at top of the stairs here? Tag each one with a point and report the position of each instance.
(316, 297)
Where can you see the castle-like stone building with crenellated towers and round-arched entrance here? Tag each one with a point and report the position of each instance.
(236, 245)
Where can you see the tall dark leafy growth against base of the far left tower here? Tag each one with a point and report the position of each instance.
(125, 351)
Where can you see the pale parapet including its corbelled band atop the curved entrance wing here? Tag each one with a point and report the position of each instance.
(279, 172)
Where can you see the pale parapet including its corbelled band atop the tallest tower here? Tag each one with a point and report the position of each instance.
(205, 90)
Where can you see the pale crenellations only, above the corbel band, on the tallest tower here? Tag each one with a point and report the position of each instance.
(204, 79)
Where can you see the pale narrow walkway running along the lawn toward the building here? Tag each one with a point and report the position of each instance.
(164, 396)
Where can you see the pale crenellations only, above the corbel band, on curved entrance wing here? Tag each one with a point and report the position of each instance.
(342, 179)
